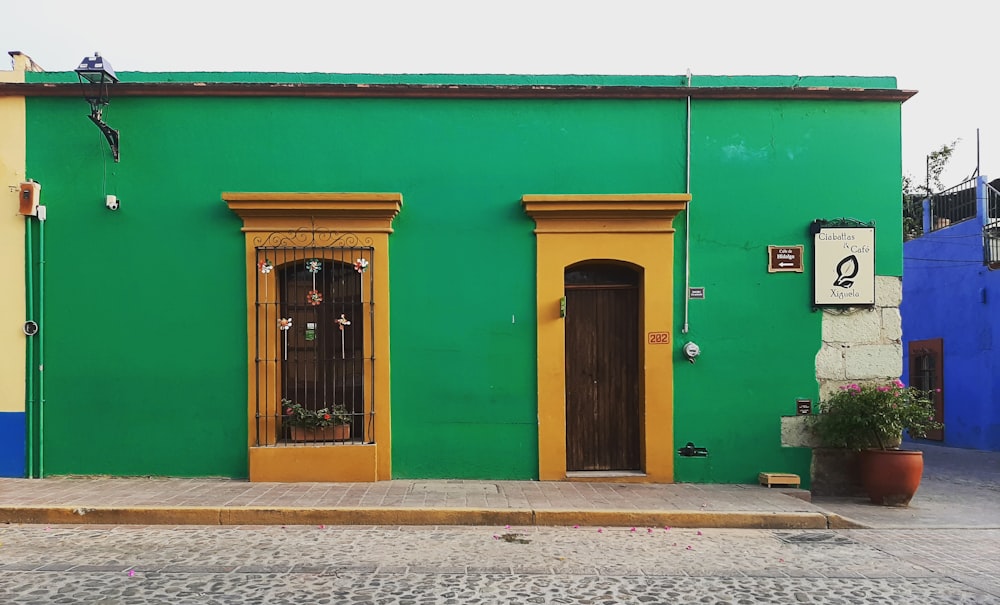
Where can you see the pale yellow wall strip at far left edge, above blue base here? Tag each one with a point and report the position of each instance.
(12, 312)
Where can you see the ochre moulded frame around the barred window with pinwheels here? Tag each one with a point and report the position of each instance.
(369, 217)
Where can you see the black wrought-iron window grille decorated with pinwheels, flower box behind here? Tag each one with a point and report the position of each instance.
(315, 348)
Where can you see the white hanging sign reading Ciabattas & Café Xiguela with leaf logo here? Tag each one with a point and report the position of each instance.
(844, 263)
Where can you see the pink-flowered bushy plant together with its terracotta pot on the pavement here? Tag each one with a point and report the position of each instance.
(871, 417)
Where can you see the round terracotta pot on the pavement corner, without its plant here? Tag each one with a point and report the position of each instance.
(891, 477)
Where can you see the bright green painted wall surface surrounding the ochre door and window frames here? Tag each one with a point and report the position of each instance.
(146, 334)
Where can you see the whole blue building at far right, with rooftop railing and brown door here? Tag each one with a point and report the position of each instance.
(951, 310)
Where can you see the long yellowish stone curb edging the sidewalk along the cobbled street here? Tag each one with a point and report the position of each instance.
(262, 515)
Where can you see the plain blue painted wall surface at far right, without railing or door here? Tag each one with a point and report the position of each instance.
(949, 293)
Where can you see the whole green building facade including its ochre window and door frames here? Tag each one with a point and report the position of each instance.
(163, 355)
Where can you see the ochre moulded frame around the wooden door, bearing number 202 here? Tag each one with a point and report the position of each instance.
(631, 228)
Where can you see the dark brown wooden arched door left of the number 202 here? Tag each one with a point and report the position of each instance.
(602, 370)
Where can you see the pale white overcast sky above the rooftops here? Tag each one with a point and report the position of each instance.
(947, 50)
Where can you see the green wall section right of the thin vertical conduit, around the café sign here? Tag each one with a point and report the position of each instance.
(761, 172)
